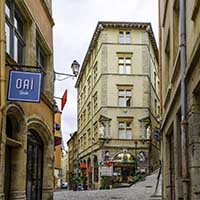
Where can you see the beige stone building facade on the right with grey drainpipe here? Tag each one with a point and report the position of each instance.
(180, 132)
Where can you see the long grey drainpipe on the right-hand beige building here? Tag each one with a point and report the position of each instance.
(184, 123)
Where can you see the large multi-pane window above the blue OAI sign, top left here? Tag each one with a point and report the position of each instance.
(14, 28)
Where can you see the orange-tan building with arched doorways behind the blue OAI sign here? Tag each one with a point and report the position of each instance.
(26, 140)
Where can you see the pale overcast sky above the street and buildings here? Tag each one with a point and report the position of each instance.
(75, 22)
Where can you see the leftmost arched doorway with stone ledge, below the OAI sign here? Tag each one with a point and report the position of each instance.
(14, 151)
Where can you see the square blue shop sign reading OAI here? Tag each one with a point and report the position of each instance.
(24, 86)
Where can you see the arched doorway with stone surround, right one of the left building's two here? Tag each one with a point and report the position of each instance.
(39, 140)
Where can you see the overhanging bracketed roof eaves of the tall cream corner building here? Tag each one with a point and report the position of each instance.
(110, 24)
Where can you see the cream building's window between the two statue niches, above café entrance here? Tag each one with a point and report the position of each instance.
(125, 129)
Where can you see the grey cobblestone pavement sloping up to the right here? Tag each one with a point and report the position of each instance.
(141, 191)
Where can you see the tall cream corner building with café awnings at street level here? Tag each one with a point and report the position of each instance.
(118, 103)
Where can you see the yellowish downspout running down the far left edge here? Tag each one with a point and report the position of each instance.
(2, 64)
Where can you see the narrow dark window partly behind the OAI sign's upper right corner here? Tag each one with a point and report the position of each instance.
(41, 62)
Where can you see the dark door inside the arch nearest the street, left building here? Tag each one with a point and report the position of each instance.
(34, 166)
